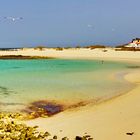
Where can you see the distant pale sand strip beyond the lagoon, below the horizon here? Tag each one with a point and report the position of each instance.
(111, 54)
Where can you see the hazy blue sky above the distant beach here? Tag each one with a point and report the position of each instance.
(55, 23)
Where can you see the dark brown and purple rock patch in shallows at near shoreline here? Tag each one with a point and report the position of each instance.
(44, 108)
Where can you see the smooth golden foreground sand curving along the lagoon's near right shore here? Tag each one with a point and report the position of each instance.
(114, 117)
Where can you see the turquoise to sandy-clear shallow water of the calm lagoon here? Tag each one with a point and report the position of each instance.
(70, 81)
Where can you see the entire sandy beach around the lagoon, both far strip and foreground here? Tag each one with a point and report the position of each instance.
(109, 120)
